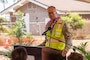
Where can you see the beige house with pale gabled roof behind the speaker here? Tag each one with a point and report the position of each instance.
(35, 12)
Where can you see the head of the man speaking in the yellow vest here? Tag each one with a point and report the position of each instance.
(52, 12)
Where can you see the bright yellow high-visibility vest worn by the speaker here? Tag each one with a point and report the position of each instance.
(56, 34)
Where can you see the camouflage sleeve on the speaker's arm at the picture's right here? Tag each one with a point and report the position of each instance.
(68, 36)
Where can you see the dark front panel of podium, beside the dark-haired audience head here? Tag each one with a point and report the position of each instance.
(33, 52)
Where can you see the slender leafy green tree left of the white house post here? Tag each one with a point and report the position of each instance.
(19, 28)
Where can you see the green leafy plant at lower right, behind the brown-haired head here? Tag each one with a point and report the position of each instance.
(81, 49)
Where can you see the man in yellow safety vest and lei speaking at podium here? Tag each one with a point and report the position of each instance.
(57, 35)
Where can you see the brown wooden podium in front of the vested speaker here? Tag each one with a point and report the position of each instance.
(41, 52)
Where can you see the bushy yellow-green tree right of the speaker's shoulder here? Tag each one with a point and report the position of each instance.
(74, 21)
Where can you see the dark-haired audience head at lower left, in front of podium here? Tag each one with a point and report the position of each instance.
(19, 53)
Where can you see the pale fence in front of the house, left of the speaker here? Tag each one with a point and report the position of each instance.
(36, 28)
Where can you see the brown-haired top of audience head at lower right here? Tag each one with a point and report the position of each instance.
(75, 56)
